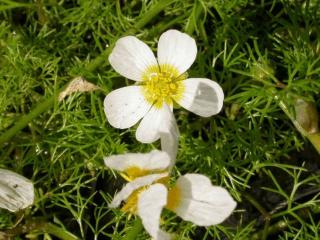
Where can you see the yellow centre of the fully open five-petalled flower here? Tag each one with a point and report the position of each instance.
(162, 84)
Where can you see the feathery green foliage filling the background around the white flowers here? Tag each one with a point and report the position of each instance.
(265, 54)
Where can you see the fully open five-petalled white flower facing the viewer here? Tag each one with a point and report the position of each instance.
(160, 83)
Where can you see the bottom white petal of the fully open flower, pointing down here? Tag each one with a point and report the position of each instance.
(149, 128)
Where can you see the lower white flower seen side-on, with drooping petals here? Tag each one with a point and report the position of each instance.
(193, 197)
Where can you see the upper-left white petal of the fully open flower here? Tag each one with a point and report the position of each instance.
(131, 57)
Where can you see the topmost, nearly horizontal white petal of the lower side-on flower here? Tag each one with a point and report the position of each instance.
(153, 161)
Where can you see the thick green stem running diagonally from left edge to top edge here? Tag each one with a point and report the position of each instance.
(93, 65)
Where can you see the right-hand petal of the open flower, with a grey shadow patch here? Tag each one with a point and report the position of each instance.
(202, 96)
